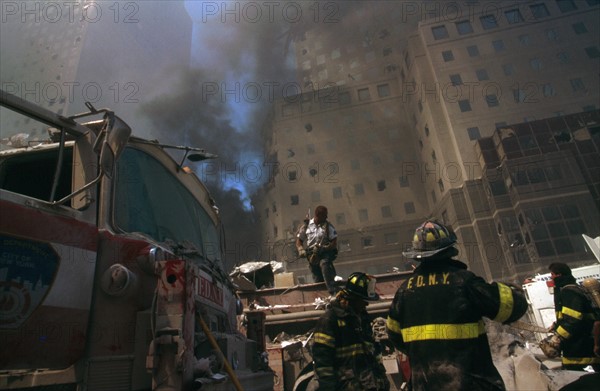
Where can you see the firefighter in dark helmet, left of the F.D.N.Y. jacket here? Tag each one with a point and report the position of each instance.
(345, 355)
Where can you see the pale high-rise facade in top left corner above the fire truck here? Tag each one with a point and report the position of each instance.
(41, 46)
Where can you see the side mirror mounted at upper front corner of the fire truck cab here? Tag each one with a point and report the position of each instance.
(117, 134)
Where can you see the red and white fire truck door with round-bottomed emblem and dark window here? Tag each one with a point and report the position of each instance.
(47, 258)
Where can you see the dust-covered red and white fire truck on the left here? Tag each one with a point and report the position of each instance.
(111, 274)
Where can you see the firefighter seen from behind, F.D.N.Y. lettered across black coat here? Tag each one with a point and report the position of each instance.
(436, 317)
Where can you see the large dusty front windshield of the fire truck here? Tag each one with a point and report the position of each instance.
(150, 200)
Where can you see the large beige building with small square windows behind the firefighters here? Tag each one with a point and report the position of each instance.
(397, 135)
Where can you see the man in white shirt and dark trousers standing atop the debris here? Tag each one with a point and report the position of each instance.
(320, 238)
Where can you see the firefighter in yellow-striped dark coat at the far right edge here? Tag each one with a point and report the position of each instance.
(572, 333)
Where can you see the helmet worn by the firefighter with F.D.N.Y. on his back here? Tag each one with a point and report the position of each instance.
(430, 239)
